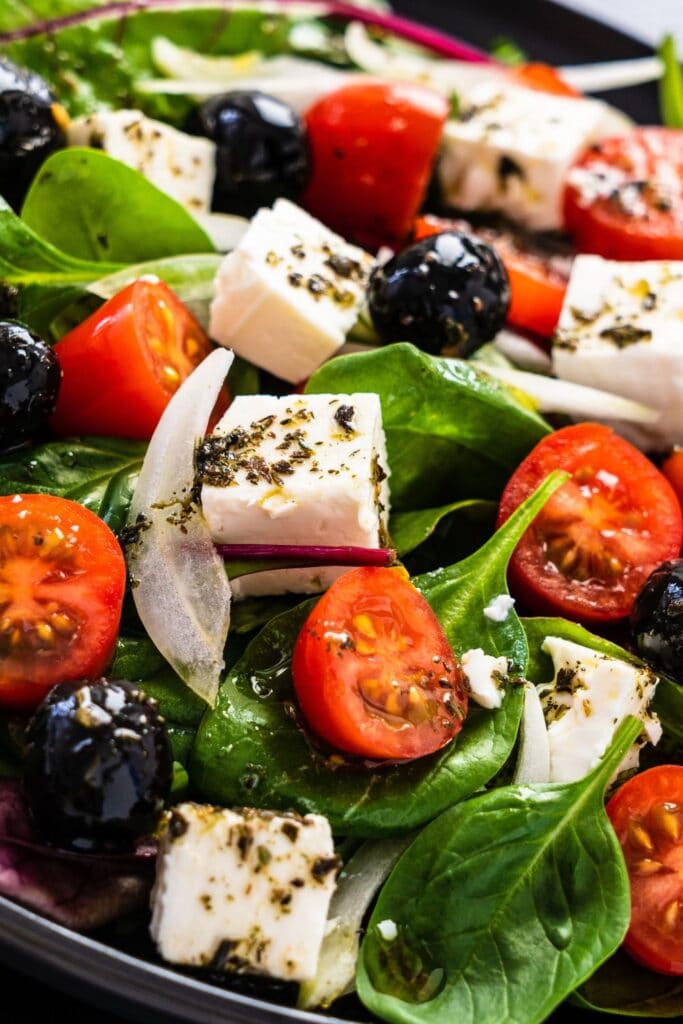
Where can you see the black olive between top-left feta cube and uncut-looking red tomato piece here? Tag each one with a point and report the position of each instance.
(263, 150)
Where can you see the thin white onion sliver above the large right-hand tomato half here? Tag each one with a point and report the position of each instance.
(552, 396)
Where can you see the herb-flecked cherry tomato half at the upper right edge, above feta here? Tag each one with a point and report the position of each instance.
(603, 228)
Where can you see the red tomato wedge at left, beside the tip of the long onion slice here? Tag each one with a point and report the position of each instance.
(122, 366)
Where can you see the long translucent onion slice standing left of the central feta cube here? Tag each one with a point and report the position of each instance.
(181, 587)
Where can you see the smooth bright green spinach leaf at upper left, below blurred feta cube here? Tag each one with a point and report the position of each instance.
(94, 207)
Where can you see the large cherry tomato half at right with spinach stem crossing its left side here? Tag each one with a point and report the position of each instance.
(590, 550)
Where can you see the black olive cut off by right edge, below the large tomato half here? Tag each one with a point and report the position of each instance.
(657, 620)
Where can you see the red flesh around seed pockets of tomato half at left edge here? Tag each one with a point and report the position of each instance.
(94, 598)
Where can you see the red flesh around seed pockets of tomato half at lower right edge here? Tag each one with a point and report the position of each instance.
(649, 945)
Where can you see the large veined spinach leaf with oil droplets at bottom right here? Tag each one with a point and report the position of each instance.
(504, 906)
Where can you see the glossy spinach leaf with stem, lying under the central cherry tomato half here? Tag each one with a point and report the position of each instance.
(251, 749)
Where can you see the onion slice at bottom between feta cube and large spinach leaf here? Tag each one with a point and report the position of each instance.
(357, 887)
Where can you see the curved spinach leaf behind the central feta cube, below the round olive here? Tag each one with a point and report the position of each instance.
(452, 432)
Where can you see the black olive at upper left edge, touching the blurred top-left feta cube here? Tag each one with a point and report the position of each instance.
(31, 129)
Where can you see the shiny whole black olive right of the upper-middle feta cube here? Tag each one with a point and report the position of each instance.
(449, 294)
